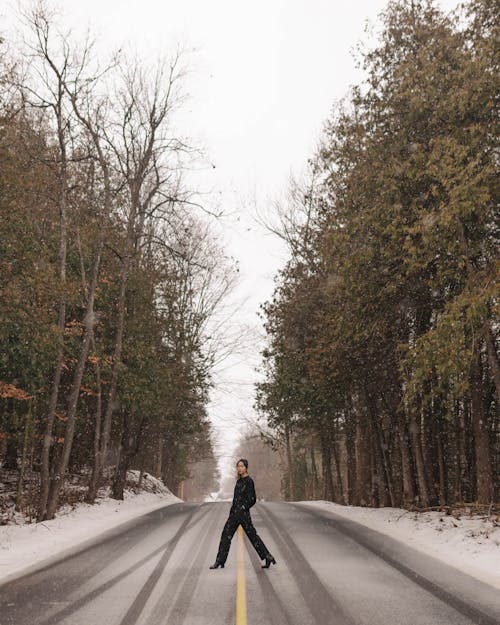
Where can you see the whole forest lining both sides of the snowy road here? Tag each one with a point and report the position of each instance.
(380, 377)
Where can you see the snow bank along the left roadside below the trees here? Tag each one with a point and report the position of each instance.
(22, 546)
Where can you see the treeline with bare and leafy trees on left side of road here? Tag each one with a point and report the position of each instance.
(109, 271)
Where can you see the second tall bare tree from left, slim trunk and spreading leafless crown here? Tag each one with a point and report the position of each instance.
(148, 158)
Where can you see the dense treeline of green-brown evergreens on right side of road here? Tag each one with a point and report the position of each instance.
(382, 368)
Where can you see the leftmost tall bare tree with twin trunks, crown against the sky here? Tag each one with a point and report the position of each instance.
(58, 80)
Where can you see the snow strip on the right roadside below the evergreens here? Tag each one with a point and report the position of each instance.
(470, 544)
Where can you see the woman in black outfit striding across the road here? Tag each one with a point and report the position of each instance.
(244, 498)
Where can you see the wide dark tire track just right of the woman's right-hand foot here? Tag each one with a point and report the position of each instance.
(318, 599)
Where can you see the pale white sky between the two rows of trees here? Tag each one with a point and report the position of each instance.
(263, 78)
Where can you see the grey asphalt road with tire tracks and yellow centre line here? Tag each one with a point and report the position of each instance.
(154, 571)
